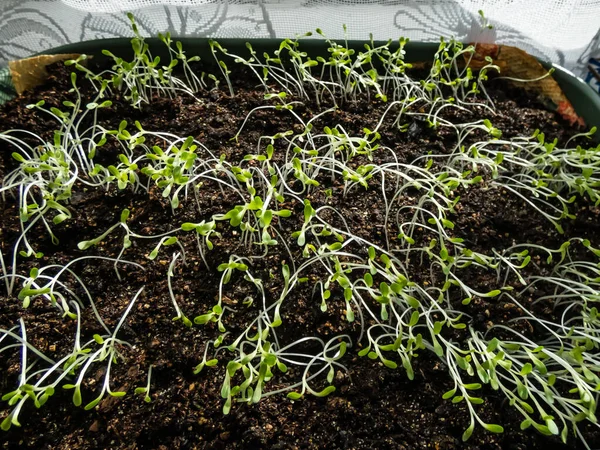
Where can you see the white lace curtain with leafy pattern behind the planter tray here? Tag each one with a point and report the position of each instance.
(565, 32)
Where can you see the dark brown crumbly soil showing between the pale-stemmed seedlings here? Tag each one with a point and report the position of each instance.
(373, 407)
